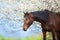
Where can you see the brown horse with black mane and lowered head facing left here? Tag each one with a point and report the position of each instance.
(49, 22)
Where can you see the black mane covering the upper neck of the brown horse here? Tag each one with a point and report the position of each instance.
(42, 15)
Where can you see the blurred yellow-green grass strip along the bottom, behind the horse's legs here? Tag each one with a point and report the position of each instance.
(38, 37)
